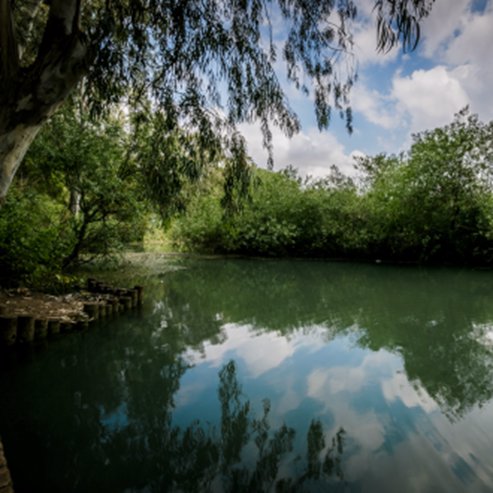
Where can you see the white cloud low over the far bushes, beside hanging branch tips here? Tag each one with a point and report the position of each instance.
(311, 152)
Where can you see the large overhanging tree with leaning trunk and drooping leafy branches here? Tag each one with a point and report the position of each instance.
(182, 54)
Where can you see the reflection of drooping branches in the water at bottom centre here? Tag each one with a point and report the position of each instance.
(244, 455)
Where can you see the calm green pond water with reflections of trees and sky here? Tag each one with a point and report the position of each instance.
(251, 376)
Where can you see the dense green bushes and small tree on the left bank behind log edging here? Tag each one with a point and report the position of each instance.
(76, 197)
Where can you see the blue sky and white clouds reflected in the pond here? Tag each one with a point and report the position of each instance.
(399, 440)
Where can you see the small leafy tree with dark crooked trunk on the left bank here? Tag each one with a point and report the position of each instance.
(85, 168)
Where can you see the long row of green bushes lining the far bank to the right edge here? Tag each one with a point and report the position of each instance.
(432, 204)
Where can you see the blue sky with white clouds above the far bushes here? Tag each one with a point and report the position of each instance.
(397, 94)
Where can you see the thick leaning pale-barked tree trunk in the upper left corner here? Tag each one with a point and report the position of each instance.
(29, 95)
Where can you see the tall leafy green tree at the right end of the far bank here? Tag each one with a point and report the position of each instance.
(434, 203)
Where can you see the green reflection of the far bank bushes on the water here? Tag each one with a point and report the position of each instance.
(433, 318)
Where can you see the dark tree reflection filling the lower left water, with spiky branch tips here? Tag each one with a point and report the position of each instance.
(108, 425)
